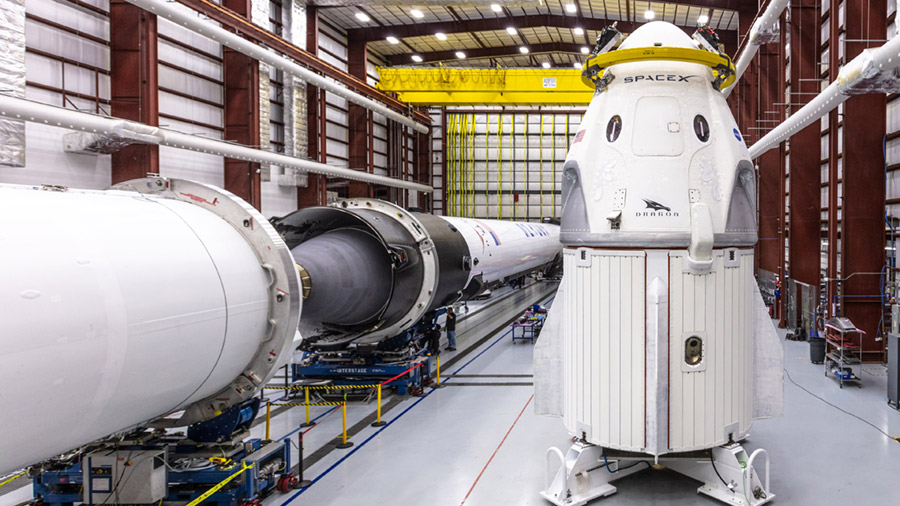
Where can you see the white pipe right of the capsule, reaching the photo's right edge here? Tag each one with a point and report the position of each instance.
(864, 68)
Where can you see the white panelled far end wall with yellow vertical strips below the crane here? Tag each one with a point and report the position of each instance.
(501, 164)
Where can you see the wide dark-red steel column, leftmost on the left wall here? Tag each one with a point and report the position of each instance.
(134, 84)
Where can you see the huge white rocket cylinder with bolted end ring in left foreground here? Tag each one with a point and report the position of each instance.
(123, 306)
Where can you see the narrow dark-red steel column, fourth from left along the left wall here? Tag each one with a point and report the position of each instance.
(358, 122)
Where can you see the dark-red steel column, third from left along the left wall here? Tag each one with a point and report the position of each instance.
(316, 192)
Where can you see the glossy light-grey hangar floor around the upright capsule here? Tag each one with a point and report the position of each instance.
(477, 441)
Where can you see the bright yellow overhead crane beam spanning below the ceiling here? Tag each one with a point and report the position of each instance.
(469, 86)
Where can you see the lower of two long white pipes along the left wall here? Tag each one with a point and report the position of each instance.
(18, 108)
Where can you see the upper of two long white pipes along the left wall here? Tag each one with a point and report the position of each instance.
(189, 20)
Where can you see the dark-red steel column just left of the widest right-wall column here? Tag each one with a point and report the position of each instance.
(805, 161)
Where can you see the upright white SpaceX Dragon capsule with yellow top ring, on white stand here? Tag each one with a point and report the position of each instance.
(657, 346)
